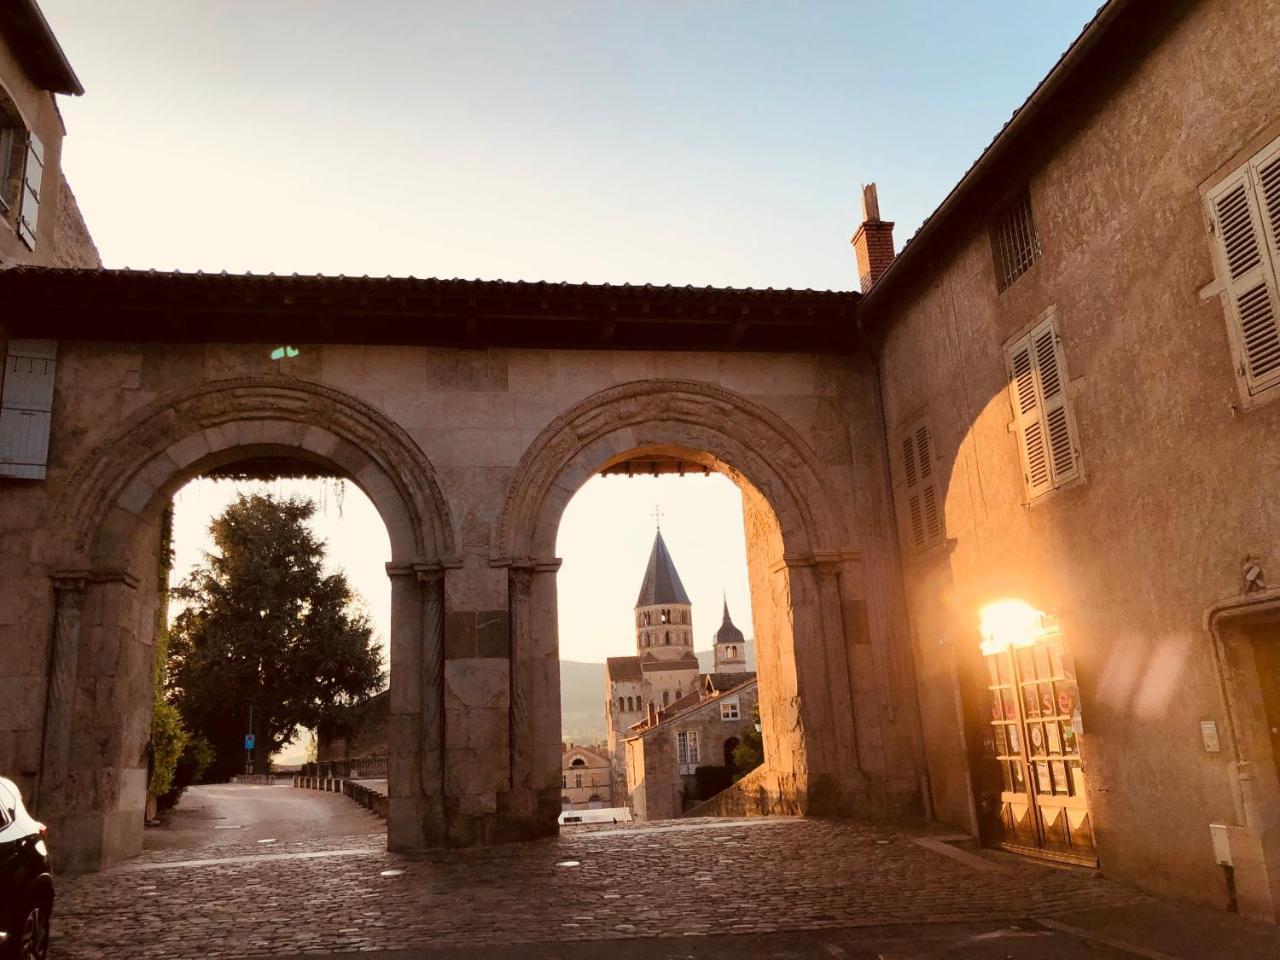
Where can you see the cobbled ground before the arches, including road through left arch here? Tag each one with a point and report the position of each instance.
(696, 890)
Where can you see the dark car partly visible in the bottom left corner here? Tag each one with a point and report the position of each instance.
(26, 881)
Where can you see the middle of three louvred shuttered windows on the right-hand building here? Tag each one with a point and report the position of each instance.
(1043, 418)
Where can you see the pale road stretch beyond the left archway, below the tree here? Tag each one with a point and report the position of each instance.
(221, 815)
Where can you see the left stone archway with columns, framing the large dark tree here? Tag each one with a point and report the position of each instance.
(102, 546)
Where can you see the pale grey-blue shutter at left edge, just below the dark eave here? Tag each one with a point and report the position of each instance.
(26, 406)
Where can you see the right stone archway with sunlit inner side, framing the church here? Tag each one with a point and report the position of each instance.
(804, 578)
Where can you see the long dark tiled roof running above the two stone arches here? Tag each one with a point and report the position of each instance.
(198, 308)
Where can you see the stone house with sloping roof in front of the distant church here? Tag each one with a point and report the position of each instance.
(662, 757)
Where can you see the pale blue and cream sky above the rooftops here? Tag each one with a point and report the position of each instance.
(666, 141)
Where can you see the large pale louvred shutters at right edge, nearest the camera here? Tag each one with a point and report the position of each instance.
(1245, 217)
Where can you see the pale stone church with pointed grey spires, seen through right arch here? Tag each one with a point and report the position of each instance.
(665, 669)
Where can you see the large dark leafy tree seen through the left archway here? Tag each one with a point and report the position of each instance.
(266, 628)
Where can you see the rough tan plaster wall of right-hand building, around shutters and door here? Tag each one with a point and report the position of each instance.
(1178, 473)
